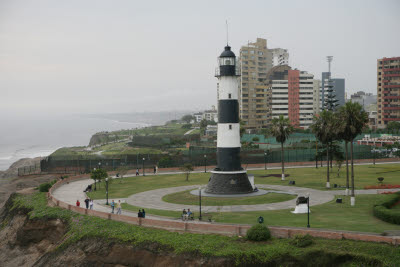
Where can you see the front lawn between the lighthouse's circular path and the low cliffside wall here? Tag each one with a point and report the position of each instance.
(329, 216)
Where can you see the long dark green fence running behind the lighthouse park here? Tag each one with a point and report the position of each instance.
(197, 156)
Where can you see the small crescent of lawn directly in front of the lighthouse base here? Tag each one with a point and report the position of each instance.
(186, 198)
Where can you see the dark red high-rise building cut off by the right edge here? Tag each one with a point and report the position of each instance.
(388, 89)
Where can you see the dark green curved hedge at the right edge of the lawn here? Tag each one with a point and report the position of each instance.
(384, 212)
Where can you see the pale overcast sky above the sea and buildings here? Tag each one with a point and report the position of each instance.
(122, 56)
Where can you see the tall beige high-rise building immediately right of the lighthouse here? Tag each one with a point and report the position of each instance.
(255, 61)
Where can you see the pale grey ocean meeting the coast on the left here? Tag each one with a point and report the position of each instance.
(34, 137)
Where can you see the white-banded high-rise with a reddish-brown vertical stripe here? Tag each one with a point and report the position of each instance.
(292, 95)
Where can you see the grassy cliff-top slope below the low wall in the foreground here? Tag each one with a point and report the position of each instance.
(275, 251)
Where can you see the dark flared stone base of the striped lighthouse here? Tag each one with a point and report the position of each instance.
(229, 183)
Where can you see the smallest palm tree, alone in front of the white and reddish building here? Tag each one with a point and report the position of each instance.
(281, 129)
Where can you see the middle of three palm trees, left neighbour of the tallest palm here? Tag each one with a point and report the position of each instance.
(325, 130)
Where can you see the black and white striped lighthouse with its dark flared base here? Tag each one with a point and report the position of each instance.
(228, 177)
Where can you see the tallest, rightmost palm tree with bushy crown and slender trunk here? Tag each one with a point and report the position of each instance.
(353, 120)
